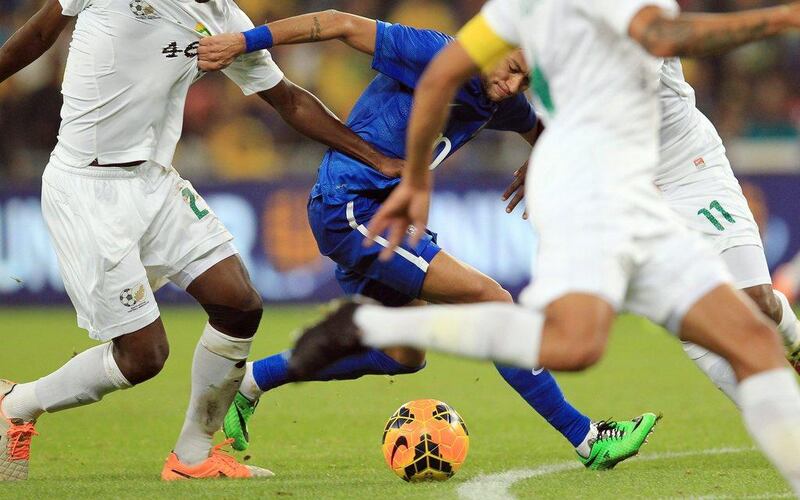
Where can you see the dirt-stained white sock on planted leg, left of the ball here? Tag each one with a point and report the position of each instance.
(217, 370)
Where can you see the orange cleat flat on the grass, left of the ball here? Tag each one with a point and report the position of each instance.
(218, 465)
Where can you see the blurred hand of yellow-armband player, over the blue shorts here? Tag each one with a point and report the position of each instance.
(404, 213)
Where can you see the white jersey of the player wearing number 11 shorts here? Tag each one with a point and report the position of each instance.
(689, 141)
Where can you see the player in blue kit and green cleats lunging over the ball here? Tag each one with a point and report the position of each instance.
(348, 193)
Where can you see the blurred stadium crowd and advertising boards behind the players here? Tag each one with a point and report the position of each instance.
(256, 172)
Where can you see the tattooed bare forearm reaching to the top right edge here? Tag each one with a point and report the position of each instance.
(695, 35)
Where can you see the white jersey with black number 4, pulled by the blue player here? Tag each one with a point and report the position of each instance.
(129, 69)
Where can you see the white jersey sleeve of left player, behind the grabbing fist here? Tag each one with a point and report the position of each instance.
(254, 72)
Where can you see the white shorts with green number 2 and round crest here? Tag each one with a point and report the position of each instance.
(121, 233)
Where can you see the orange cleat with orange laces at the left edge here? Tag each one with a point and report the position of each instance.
(15, 442)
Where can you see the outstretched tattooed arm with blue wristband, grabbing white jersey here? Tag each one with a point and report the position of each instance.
(218, 52)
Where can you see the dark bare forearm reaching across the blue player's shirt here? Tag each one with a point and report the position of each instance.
(306, 114)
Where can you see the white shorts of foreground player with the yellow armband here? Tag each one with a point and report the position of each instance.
(633, 252)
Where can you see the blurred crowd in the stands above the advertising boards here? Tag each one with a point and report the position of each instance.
(228, 137)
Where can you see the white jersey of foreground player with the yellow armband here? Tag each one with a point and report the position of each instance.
(600, 92)
